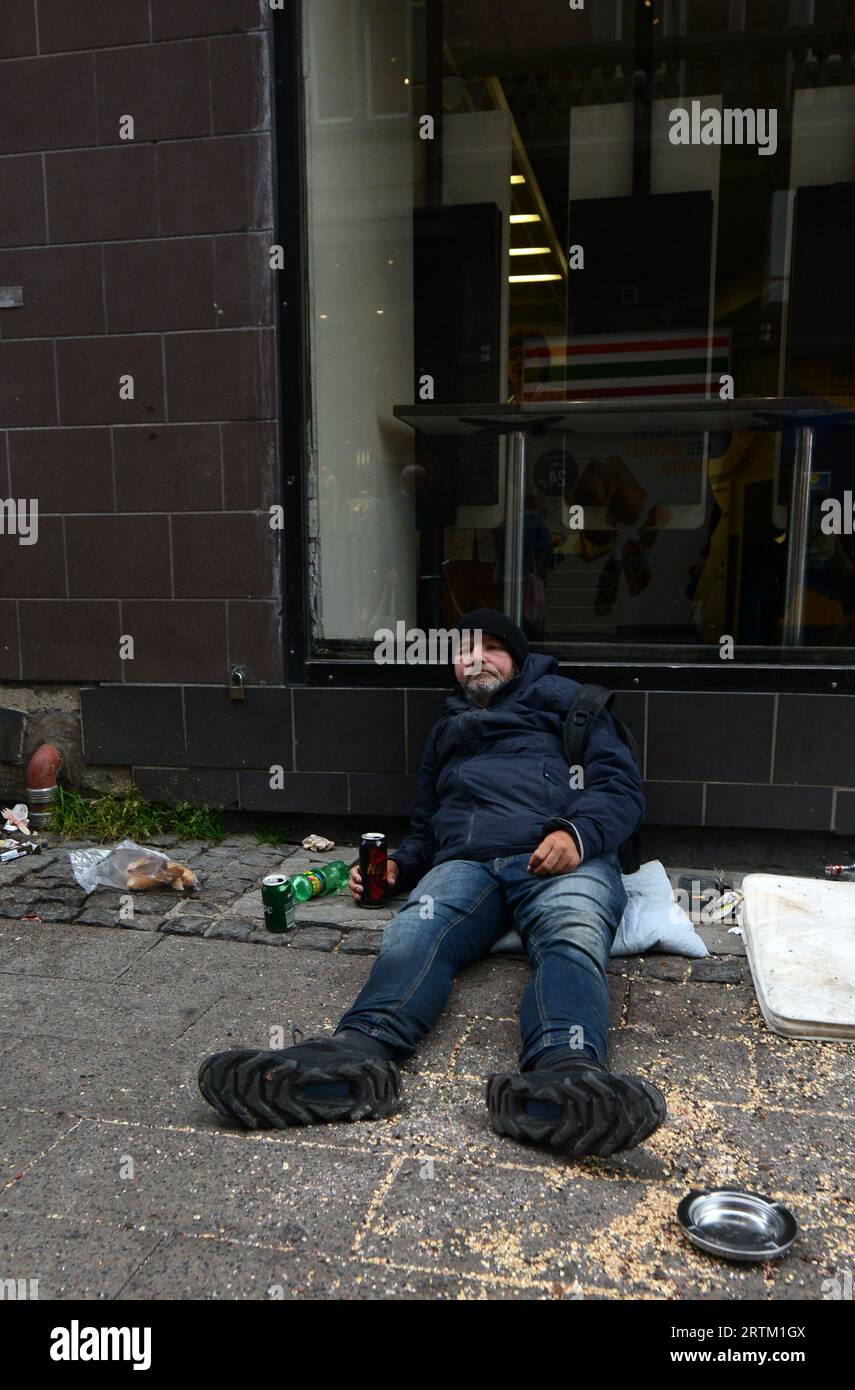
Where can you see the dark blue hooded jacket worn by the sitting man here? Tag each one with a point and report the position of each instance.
(496, 780)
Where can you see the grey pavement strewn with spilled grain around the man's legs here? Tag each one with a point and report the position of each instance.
(119, 1182)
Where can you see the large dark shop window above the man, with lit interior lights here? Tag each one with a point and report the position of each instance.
(501, 220)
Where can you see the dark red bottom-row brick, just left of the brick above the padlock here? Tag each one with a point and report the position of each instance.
(177, 641)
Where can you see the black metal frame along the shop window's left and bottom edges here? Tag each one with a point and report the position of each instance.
(639, 668)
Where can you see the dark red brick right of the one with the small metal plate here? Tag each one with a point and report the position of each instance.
(179, 279)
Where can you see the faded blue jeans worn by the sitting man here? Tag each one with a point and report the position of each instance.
(453, 918)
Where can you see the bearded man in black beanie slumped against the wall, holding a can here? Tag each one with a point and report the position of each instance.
(503, 835)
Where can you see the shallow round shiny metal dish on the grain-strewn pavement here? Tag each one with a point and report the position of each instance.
(738, 1225)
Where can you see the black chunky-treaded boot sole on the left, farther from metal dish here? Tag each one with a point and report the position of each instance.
(263, 1090)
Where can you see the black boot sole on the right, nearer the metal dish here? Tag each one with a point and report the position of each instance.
(600, 1113)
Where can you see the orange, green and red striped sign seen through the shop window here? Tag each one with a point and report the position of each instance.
(625, 365)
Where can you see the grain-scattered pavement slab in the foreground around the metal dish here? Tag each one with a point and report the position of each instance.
(607, 1238)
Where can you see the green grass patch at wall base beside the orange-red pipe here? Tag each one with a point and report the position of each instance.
(131, 818)
